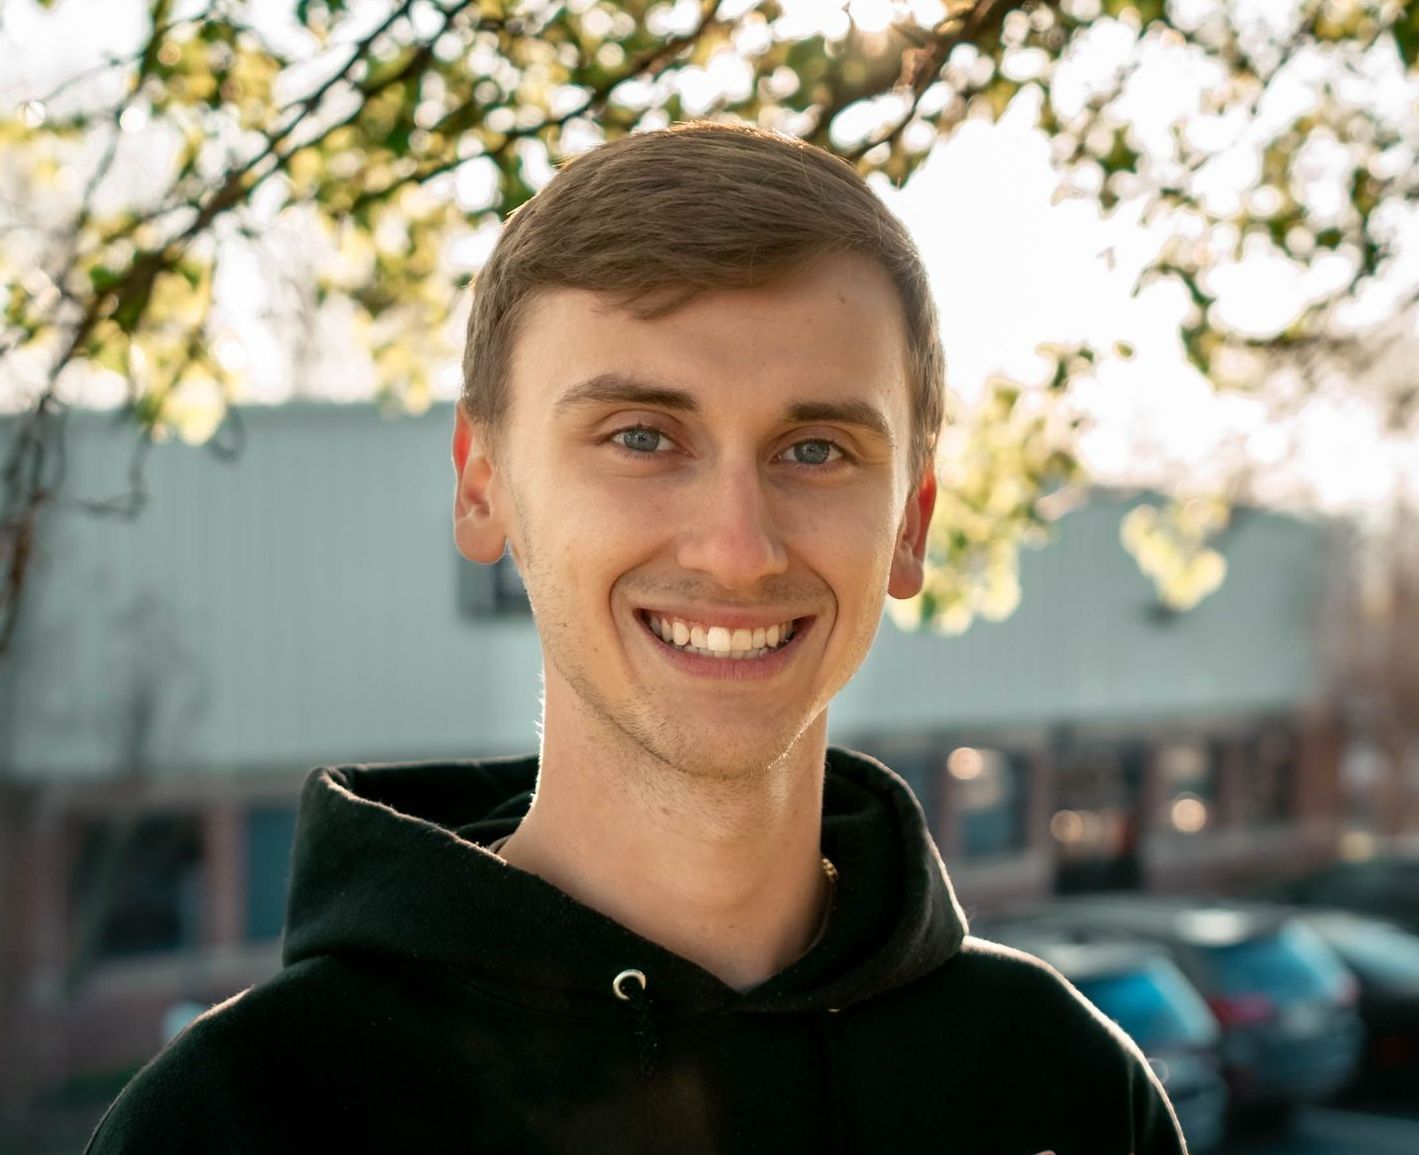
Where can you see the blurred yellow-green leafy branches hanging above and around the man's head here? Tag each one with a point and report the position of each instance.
(357, 155)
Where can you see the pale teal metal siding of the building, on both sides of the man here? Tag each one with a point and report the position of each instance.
(300, 607)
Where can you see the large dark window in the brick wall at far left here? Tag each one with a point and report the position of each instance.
(136, 886)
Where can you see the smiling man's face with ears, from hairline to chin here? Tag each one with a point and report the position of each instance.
(707, 509)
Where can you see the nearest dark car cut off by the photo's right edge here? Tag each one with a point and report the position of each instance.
(1386, 961)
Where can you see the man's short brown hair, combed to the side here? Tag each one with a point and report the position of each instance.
(658, 218)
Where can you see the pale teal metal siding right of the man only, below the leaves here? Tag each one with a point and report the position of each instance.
(1085, 648)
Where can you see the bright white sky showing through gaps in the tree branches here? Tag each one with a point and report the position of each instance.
(1012, 266)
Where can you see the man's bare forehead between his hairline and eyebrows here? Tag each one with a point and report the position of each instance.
(831, 331)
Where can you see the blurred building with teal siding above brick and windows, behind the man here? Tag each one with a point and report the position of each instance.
(177, 676)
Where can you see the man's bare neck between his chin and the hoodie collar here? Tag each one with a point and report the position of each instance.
(726, 872)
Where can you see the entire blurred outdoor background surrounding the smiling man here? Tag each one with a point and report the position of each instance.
(1160, 699)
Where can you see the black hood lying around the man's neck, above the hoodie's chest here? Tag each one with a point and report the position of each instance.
(391, 861)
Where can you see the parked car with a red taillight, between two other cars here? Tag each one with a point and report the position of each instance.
(1285, 1001)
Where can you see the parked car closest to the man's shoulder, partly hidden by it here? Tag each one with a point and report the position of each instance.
(1143, 991)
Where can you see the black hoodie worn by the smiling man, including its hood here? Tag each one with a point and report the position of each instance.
(436, 1000)
